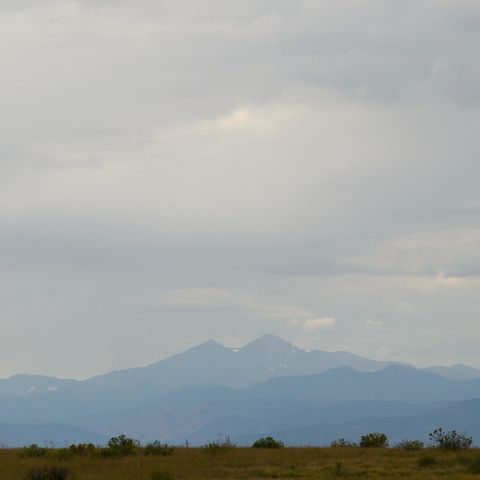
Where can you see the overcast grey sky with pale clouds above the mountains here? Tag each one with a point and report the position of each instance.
(178, 170)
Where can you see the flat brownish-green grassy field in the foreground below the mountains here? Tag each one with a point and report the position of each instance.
(247, 463)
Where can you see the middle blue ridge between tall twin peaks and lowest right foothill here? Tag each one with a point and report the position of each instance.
(341, 394)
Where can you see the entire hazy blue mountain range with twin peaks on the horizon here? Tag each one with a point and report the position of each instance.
(267, 386)
